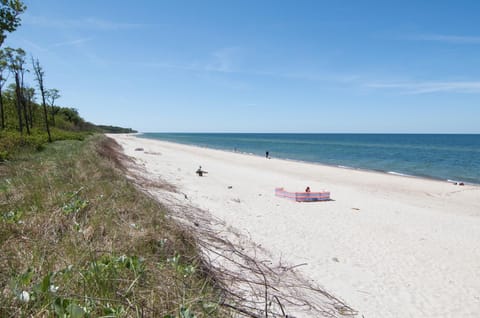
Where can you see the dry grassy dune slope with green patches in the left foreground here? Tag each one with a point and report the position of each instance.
(77, 239)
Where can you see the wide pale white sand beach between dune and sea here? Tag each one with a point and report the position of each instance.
(389, 246)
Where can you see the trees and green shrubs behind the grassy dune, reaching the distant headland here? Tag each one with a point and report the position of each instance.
(24, 123)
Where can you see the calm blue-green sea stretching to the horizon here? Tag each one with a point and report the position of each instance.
(445, 157)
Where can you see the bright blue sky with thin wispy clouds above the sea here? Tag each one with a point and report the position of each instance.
(262, 66)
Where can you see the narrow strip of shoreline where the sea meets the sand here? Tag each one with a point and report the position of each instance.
(393, 173)
